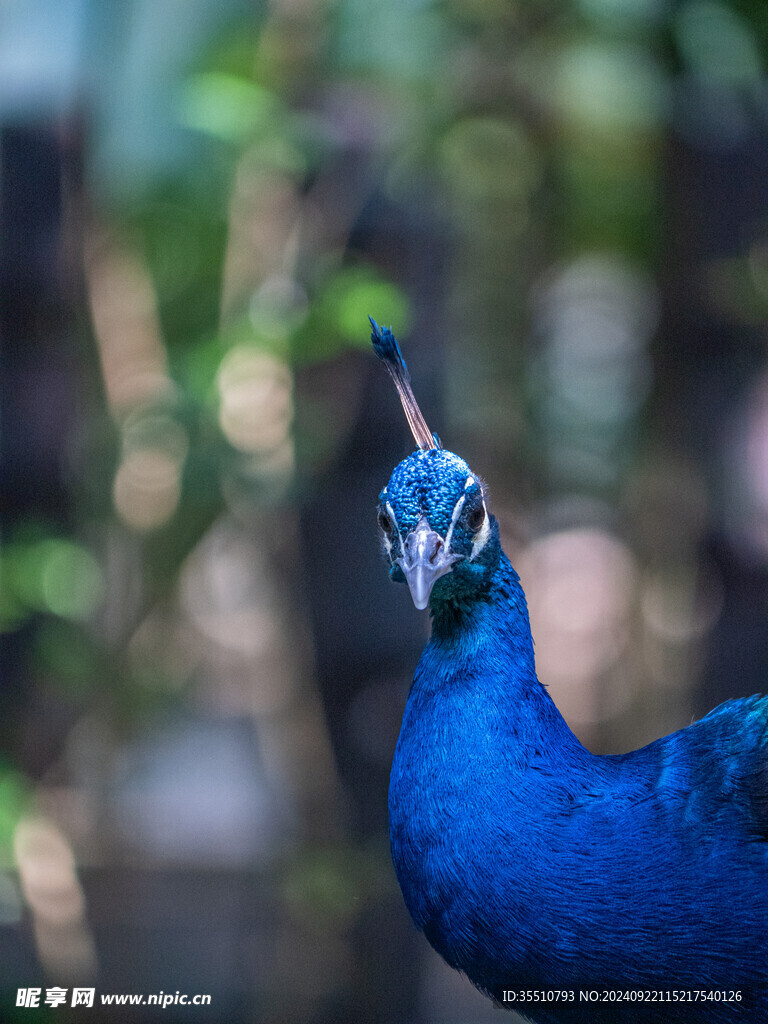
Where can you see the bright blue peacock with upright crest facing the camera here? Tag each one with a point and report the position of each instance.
(567, 886)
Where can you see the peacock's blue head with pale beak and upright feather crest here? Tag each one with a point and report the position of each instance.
(433, 516)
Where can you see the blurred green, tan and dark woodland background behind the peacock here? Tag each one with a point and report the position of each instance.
(562, 208)
